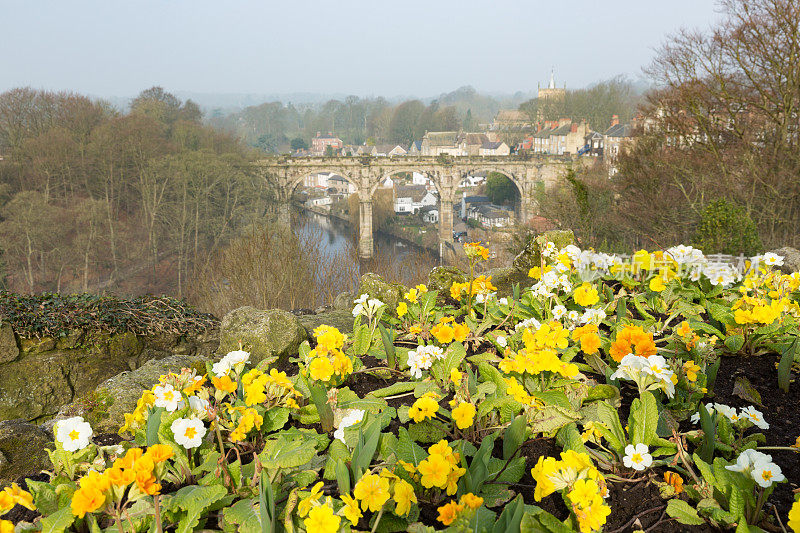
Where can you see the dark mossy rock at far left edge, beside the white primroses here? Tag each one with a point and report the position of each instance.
(23, 447)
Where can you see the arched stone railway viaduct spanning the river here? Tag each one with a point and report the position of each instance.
(529, 174)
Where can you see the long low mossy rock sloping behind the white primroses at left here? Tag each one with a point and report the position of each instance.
(105, 407)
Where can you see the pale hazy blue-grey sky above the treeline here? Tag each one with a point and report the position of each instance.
(406, 47)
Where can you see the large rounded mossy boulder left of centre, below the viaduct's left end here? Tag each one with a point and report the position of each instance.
(265, 334)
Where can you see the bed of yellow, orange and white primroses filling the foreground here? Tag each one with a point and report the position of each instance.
(653, 394)
